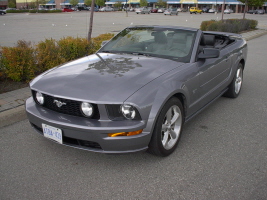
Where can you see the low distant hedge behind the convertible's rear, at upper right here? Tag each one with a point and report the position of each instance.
(229, 25)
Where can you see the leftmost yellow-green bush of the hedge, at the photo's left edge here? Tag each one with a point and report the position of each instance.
(18, 62)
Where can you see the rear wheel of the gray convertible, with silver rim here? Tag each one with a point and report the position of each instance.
(236, 84)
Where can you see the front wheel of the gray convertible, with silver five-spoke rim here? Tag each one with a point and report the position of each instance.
(168, 128)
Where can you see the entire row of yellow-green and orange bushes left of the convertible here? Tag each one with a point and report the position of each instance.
(23, 62)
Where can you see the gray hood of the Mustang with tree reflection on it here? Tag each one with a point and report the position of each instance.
(102, 77)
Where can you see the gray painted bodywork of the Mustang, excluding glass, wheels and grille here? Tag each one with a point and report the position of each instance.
(147, 84)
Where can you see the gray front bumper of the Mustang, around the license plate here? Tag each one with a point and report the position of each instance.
(90, 134)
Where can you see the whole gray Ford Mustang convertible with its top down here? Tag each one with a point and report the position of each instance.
(138, 90)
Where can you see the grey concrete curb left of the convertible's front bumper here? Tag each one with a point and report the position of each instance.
(12, 116)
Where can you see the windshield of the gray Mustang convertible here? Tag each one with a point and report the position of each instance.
(173, 44)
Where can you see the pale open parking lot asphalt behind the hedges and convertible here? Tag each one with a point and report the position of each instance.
(37, 27)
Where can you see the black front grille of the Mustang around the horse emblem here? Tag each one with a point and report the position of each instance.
(72, 107)
